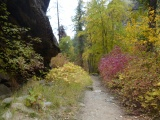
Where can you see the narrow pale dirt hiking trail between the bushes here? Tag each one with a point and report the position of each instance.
(98, 104)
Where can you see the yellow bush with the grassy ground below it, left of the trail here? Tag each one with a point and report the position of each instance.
(63, 87)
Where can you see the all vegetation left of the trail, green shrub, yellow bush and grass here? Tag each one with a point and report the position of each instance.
(37, 94)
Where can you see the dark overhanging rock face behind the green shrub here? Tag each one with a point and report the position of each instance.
(32, 14)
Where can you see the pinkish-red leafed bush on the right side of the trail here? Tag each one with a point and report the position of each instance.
(113, 63)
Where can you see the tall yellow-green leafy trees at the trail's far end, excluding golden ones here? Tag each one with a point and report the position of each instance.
(103, 24)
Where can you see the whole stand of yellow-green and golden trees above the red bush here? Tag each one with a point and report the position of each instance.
(104, 25)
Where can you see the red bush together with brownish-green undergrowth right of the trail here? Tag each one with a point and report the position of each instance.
(136, 80)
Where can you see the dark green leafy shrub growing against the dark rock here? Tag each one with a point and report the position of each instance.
(17, 57)
